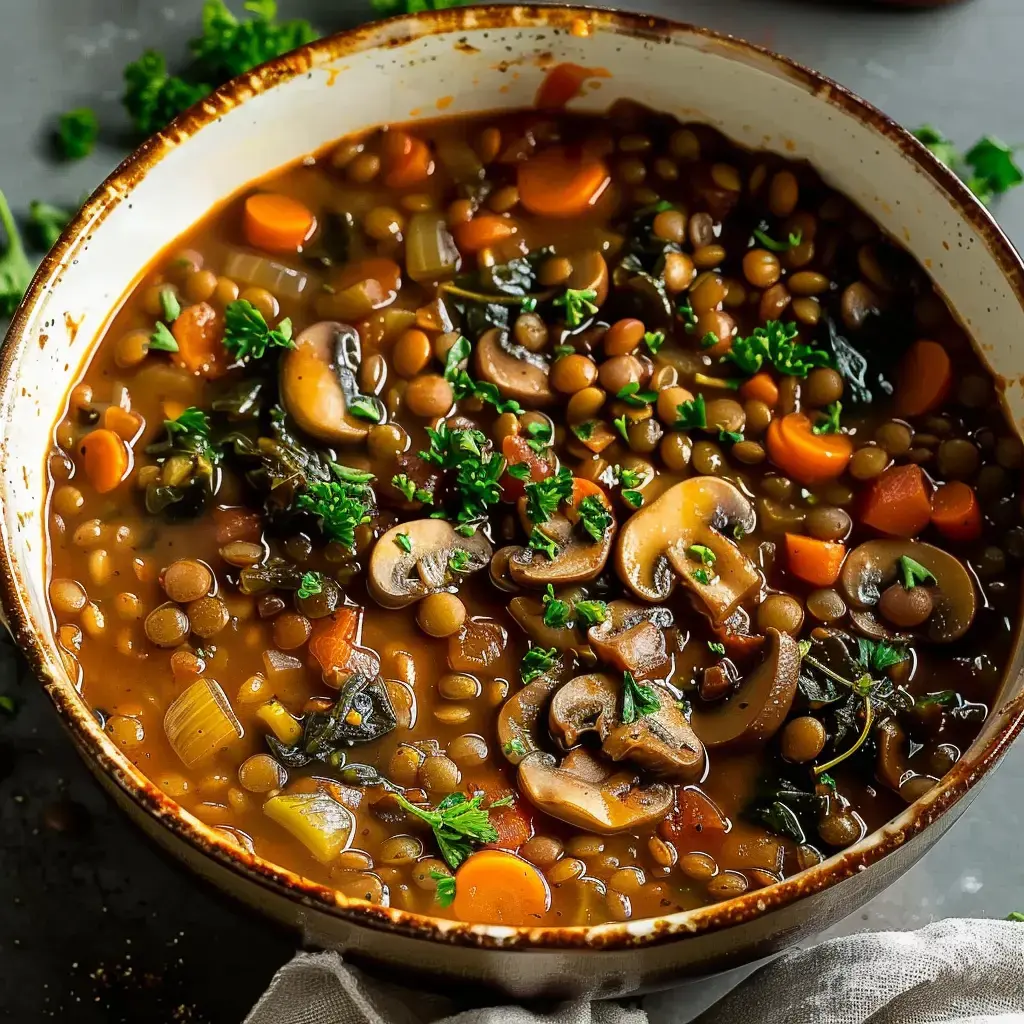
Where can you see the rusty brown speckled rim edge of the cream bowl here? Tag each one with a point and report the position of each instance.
(111, 764)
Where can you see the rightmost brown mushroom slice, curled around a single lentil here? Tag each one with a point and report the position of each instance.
(875, 565)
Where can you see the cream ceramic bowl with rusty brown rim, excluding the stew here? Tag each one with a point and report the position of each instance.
(464, 61)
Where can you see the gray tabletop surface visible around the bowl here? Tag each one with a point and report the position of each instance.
(95, 924)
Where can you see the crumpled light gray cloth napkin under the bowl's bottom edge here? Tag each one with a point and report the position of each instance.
(967, 972)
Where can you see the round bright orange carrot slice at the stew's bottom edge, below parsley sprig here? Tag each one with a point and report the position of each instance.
(493, 887)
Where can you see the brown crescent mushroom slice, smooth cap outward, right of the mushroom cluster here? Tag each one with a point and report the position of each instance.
(757, 710)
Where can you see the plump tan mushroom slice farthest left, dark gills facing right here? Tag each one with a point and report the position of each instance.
(318, 383)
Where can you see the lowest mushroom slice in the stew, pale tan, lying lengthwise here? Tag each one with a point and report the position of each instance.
(616, 804)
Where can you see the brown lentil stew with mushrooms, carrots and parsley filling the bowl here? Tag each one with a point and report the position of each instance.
(538, 520)
